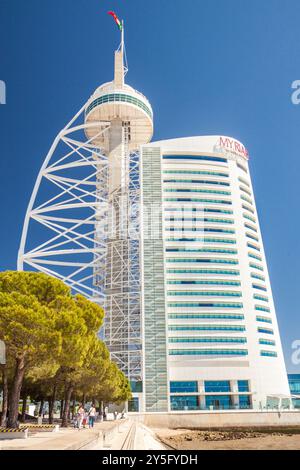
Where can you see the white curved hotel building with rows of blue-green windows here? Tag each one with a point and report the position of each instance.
(214, 318)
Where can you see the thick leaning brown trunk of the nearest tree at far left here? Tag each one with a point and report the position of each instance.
(14, 396)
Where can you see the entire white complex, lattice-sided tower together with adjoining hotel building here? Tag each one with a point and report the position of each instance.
(166, 236)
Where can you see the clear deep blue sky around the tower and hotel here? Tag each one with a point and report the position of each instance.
(208, 67)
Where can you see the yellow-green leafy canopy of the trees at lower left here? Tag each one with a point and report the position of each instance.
(51, 340)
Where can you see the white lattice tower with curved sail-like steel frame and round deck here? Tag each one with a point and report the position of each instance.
(84, 211)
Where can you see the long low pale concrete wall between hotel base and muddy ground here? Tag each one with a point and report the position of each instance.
(190, 420)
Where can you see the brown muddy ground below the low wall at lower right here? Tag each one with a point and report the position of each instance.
(182, 439)
